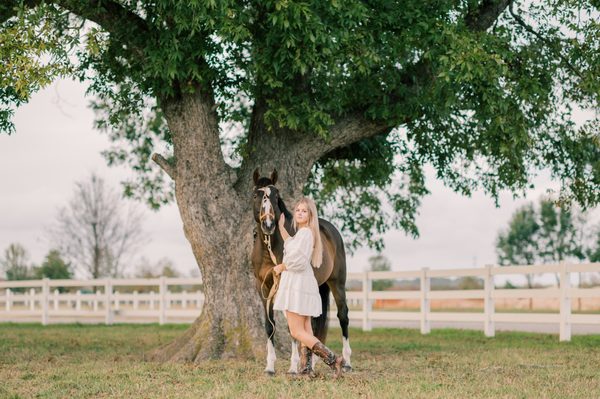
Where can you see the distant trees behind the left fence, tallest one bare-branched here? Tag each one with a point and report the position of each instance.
(94, 236)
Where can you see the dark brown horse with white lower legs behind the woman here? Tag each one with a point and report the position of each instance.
(331, 276)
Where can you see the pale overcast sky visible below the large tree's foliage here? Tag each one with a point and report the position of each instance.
(55, 145)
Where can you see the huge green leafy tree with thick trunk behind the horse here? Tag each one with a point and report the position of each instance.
(348, 100)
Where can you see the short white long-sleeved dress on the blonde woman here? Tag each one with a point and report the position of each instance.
(298, 289)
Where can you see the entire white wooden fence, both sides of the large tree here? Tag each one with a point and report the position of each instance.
(41, 301)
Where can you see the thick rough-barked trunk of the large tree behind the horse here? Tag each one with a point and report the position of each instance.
(216, 212)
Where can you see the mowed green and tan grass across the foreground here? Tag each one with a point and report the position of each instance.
(80, 361)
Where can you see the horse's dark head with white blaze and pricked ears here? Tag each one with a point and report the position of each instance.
(266, 202)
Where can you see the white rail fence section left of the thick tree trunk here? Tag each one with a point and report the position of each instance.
(101, 299)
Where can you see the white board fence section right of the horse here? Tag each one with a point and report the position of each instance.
(565, 293)
